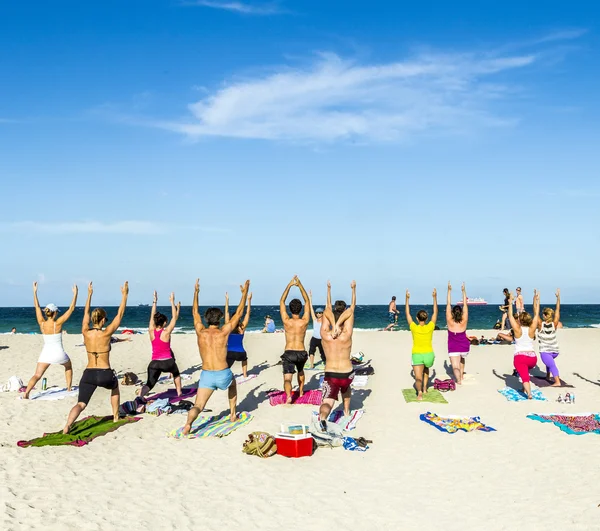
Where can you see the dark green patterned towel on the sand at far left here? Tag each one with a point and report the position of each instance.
(82, 432)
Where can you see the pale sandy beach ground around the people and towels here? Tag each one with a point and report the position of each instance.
(527, 475)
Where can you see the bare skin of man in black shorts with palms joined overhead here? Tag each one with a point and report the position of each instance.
(295, 332)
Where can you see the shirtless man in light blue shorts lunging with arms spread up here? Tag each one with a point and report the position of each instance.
(212, 343)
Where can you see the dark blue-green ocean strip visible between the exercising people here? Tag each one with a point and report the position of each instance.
(371, 317)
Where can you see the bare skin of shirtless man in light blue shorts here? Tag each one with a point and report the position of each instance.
(212, 344)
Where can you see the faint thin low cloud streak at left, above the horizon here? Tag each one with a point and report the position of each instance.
(98, 227)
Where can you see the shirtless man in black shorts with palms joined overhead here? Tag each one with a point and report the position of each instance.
(295, 355)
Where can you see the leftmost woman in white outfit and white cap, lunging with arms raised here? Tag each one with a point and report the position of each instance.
(53, 352)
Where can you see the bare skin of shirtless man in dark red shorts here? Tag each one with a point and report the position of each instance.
(337, 343)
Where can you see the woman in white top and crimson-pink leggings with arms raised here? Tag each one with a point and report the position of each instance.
(525, 327)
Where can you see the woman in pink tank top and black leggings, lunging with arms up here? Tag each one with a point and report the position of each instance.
(163, 359)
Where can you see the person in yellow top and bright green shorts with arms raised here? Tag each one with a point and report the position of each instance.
(422, 353)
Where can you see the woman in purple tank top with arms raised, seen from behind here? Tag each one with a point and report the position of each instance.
(457, 319)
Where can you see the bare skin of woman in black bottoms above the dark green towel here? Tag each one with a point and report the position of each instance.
(97, 345)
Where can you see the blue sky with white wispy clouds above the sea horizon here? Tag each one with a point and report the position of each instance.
(398, 144)
